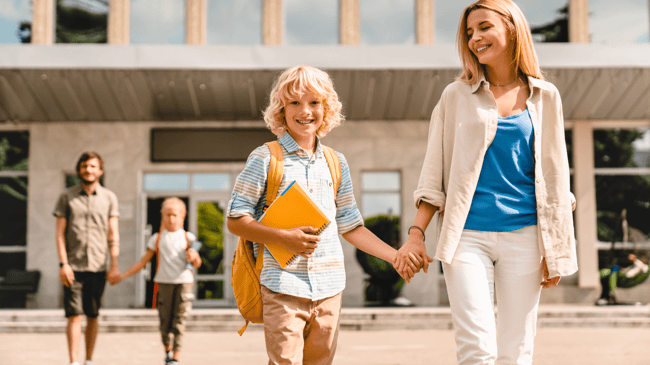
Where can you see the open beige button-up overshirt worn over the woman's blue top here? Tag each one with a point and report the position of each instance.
(463, 125)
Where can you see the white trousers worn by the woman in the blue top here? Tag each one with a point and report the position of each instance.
(485, 263)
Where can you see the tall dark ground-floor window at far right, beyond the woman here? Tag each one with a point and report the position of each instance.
(622, 168)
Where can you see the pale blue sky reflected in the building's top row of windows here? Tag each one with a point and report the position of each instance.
(315, 21)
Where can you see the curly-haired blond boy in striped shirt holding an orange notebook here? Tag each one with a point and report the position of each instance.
(302, 302)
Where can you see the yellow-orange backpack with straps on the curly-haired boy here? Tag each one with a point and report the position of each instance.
(246, 269)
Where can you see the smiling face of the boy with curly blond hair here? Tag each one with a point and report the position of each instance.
(304, 115)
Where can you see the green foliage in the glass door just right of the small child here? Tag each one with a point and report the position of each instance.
(210, 232)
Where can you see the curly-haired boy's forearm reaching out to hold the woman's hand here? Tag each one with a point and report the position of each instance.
(366, 241)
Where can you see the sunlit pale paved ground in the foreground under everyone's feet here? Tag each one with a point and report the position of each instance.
(574, 346)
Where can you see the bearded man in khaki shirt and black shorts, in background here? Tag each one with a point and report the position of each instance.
(86, 232)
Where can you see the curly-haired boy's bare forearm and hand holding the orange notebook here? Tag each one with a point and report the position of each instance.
(300, 241)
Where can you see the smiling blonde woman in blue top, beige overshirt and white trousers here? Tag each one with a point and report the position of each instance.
(496, 169)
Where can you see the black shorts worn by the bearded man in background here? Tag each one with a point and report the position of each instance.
(84, 296)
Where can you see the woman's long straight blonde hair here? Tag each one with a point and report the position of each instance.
(525, 58)
